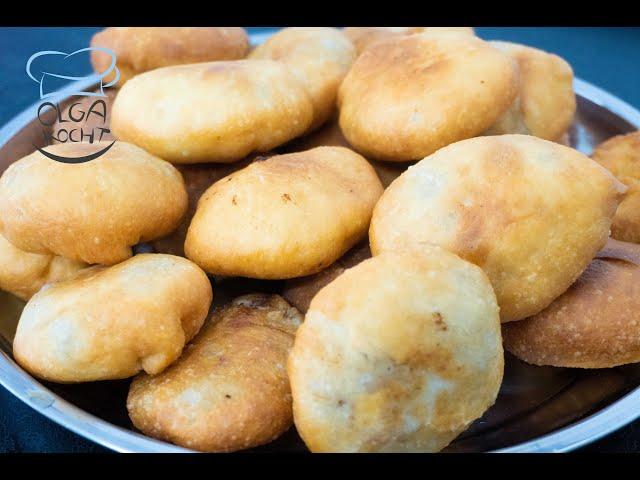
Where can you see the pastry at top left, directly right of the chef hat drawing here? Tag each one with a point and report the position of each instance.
(139, 49)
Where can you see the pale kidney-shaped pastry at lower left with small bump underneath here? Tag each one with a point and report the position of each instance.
(112, 322)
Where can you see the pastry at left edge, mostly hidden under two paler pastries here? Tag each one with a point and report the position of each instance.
(23, 273)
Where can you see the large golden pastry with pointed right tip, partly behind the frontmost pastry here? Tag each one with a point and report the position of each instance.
(530, 212)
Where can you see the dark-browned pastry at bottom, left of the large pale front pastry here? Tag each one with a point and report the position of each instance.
(229, 390)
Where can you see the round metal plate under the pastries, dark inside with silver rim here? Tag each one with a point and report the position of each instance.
(539, 409)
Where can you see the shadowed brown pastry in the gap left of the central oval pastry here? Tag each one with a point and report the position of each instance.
(197, 178)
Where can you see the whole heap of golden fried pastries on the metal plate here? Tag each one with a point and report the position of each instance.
(412, 188)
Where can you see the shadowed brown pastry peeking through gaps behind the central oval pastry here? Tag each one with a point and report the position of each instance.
(330, 135)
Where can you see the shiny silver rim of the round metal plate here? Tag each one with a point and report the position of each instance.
(64, 413)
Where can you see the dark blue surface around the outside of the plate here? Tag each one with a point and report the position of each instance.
(606, 57)
